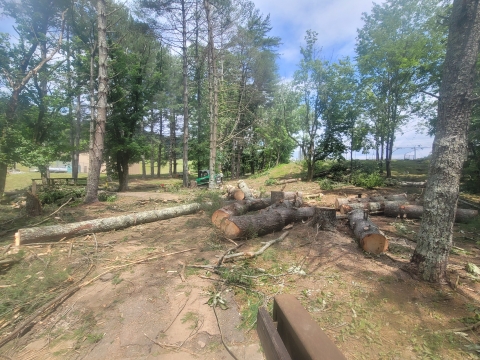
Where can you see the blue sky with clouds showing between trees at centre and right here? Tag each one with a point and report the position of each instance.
(336, 22)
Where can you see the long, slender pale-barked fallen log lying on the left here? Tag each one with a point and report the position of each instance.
(57, 232)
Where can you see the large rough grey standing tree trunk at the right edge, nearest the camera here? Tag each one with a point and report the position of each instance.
(434, 239)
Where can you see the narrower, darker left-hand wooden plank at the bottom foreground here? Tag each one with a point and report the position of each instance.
(272, 344)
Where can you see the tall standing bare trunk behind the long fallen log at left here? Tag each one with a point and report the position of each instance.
(98, 149)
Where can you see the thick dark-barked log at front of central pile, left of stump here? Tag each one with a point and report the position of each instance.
(264, 223)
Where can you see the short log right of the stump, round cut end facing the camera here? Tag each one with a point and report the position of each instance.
(366, 232)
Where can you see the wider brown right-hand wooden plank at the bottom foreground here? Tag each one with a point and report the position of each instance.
(300, 334)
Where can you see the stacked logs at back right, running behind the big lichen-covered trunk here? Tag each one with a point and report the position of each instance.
(394, 206)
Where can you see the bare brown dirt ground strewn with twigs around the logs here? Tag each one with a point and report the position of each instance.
(368, 305)
